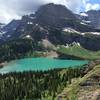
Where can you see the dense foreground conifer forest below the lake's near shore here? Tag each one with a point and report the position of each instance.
(36, 85)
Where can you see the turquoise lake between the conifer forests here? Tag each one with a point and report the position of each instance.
(38, 64)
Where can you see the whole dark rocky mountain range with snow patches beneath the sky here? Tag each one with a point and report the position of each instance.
(58, 25)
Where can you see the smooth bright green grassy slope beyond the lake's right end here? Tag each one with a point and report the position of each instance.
(80, 52)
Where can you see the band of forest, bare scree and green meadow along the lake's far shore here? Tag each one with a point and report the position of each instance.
(22, 48)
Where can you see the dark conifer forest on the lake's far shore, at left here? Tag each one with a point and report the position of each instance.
(20, 49)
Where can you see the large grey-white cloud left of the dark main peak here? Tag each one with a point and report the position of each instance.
(14, 9)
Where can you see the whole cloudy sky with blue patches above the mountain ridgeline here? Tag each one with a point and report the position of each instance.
(14, 9)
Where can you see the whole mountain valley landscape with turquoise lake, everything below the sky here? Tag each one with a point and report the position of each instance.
(51, 54)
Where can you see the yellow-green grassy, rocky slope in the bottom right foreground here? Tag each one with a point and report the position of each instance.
(75, 91)
